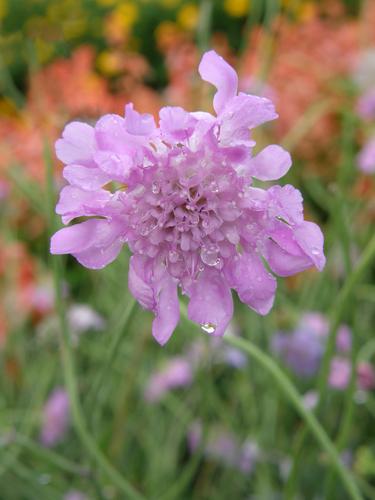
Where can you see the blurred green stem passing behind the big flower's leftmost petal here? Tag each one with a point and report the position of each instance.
(68, 366)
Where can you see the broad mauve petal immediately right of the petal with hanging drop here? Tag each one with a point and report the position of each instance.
(255, 286)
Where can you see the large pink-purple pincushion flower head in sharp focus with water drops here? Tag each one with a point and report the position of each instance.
(181, 196)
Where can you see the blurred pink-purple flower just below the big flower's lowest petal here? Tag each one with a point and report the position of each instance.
(177, 372)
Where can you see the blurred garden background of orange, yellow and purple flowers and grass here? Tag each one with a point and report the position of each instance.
(194, 419)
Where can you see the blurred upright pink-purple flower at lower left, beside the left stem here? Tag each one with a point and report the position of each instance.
(56, 418)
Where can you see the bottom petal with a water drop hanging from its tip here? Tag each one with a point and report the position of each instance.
(211, 302)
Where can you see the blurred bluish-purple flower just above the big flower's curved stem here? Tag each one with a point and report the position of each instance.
(301, 350)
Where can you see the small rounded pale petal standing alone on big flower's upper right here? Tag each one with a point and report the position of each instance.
(270, 164)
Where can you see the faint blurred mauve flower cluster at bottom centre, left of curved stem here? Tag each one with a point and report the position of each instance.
(224, 448)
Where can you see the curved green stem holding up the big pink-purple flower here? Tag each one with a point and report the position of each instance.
(309, 418)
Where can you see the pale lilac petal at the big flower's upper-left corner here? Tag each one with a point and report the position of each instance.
(77, 144)
